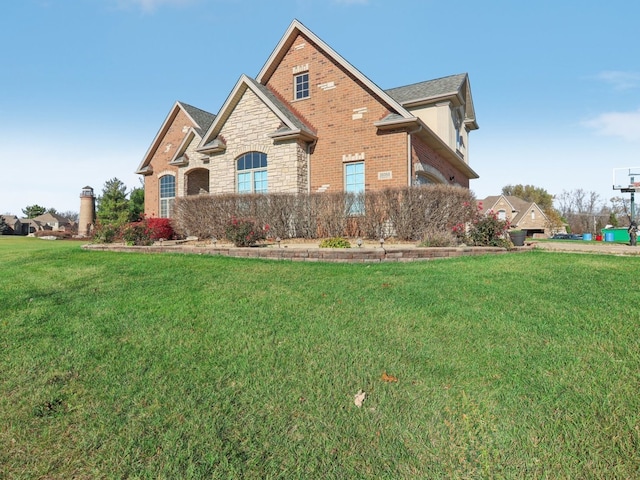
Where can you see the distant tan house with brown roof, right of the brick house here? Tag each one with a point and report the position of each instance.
(522, 215)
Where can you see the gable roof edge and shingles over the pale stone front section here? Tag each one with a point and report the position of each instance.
(292, 125)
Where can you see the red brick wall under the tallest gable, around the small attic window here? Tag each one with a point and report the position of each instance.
(342, 112)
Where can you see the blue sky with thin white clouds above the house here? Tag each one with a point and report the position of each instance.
(86, 84)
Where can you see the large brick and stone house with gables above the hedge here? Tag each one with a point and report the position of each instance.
(311, 122)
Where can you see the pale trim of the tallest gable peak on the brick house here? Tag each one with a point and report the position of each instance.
(297, 28)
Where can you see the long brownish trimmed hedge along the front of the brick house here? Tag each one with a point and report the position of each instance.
(407, 213)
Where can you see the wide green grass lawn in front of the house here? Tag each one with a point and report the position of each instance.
(172, 366)
